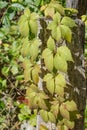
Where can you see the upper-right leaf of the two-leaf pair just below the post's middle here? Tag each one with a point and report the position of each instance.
(60, 80)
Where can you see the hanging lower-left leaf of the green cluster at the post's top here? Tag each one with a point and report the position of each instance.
(56, 33)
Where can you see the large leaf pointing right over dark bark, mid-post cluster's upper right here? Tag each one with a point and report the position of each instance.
(64, 52)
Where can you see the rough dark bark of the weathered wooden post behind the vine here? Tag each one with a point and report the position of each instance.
(76, 72)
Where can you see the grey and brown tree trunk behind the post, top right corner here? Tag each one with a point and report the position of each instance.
(80, 5)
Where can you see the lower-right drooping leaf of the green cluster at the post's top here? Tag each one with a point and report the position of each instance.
(66, 33)
